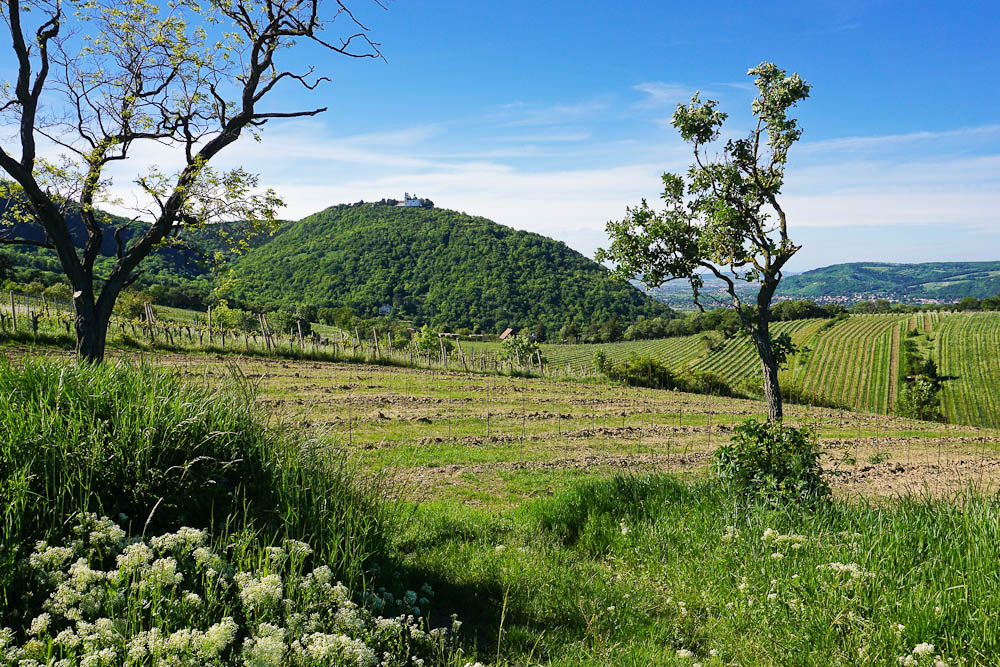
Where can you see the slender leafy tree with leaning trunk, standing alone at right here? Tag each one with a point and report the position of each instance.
(731, 223)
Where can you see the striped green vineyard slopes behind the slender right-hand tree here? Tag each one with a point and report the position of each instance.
(853, 363)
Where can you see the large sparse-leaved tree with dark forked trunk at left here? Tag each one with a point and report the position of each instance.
(104, 78)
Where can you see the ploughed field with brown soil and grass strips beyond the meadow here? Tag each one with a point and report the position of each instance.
(494, 440)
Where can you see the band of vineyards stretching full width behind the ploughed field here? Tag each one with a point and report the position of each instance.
(853, 363)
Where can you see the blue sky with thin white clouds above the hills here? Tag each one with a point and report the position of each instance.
(552, 116)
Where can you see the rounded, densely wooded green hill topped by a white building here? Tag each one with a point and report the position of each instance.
(434, 265)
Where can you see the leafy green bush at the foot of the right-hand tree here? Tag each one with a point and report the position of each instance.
(771, 461)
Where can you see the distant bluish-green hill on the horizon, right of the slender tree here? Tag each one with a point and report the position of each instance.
(934, 280)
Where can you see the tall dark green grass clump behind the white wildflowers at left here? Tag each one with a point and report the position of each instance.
(138, 445)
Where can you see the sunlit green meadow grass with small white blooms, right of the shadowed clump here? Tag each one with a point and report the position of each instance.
(631, 570)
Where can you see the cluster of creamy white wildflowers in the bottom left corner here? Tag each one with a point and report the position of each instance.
(130, 614)
